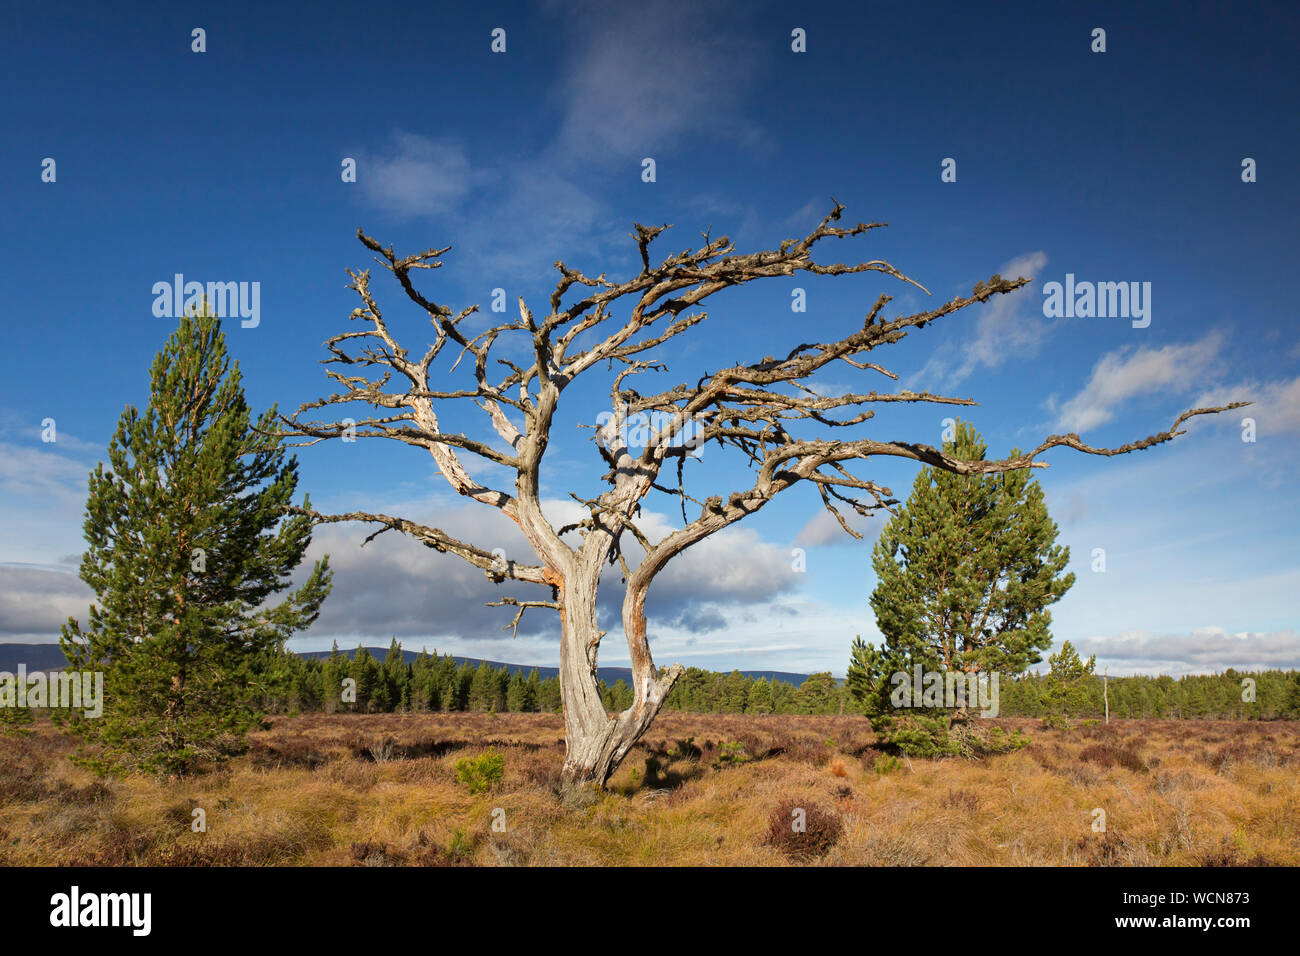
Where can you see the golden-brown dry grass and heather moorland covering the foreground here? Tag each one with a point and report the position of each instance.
(701, 790)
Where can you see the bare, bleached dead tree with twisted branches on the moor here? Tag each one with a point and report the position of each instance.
(764, 412)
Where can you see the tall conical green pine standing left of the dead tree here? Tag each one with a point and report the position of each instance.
(188, 543)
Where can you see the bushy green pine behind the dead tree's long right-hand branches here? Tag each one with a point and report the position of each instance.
(965, 574)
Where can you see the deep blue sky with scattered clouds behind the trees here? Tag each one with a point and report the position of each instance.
(1125, 166)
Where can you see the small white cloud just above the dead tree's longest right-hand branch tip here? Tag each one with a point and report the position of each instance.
(1130, 373)
